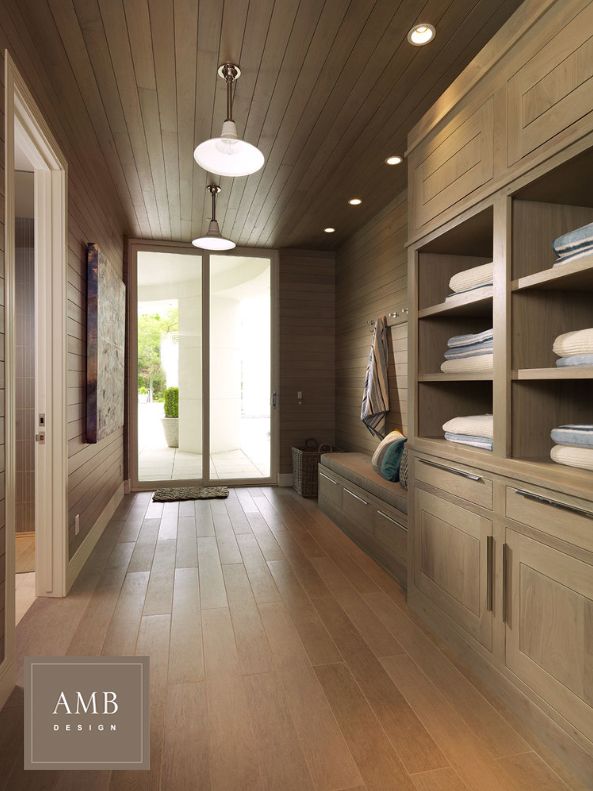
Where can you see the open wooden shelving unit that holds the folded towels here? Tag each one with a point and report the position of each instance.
(531, 303)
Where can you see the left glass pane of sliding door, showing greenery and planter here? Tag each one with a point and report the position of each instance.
(169, 332)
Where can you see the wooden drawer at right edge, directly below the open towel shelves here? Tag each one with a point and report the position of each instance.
(570, 520)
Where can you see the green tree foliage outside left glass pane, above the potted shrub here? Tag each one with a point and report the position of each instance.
(151, 328)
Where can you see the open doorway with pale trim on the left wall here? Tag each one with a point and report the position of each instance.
(35, 358)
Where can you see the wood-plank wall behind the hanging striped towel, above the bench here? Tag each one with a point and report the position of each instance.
(371, 279)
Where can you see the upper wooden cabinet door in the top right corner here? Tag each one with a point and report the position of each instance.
(553, 90)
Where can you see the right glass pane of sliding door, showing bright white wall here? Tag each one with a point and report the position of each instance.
(240, 367)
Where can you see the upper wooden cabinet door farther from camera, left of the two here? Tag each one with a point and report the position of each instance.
(448, 167)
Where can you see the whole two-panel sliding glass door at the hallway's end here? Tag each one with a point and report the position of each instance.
(201, 366)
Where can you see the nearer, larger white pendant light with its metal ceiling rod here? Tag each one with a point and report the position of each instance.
(228, 155)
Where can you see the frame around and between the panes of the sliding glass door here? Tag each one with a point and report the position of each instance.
(146, 245)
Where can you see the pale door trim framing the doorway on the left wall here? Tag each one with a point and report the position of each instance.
(51, 459)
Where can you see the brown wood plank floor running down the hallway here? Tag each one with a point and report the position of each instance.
(282, 658)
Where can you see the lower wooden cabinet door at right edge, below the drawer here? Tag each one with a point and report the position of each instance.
(549, 639)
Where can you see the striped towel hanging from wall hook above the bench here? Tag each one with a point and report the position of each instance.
(375, 398)
